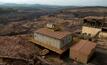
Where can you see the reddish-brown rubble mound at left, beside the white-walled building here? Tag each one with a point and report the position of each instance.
(17, 48)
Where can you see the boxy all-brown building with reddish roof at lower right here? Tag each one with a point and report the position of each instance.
(82, 51)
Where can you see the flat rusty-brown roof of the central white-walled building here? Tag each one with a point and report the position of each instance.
(53, 34)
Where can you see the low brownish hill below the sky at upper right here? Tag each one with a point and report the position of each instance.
(86, 11)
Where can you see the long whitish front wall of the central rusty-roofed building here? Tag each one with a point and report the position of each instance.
(48, 40)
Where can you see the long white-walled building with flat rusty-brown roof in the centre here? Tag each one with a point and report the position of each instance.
(57, 41)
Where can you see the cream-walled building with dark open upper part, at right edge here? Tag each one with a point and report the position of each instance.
(94, 27)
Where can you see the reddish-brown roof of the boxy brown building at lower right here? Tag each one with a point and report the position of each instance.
(84, 46)
